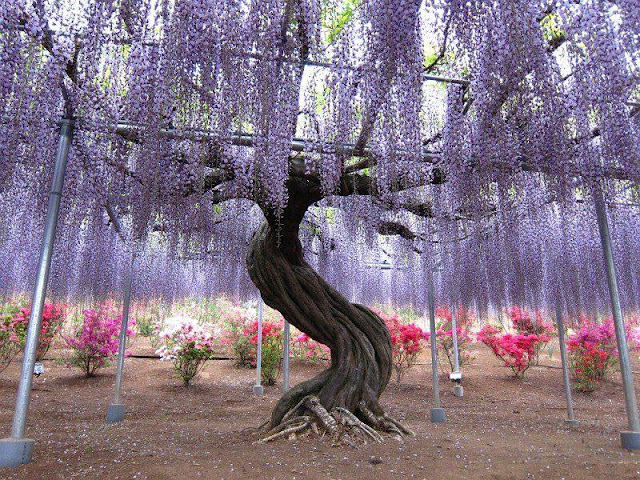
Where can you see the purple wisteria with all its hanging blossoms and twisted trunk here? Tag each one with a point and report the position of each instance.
(319, 139)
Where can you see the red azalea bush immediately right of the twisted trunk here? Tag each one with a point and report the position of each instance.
(406, 343)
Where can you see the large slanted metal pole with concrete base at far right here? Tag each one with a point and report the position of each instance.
(631, 438)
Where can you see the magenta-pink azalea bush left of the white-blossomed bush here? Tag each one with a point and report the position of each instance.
(94, 343)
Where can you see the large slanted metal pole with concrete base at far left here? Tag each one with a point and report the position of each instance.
(16, 449)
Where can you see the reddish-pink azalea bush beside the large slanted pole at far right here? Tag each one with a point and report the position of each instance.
(593, 352)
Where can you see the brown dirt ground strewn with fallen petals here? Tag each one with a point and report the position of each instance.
(501, 429)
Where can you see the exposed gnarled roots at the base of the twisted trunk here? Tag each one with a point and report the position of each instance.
(343, 426)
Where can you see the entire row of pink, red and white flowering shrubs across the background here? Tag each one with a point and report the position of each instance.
(188, 343)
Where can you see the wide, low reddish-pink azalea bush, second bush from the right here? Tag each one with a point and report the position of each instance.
(517, 351)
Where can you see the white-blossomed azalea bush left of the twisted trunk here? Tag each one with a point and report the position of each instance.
(188, 345)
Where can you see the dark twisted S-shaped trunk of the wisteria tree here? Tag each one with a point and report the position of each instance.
(359, 341)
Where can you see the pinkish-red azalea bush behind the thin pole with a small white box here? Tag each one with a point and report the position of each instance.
(444, 335)
